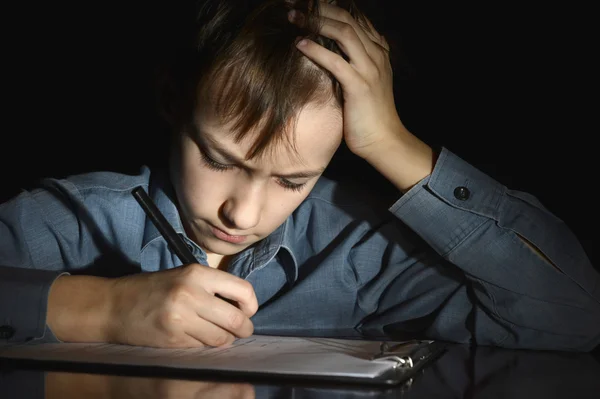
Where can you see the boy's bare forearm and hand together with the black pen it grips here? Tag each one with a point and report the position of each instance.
(185, 307)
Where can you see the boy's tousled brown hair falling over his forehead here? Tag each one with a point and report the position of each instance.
(243, 57)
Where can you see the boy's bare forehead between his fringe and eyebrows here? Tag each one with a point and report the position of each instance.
(310, 138)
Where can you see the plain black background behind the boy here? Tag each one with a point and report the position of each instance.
(508, 88)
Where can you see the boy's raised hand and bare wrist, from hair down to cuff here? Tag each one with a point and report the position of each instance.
(372, 127)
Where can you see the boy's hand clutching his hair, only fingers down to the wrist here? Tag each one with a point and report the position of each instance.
(370, 114)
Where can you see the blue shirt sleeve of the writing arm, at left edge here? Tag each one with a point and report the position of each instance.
(41, 236)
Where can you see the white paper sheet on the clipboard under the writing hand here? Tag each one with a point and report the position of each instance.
(264, 354)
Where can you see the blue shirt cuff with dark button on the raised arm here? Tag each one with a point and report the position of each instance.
(450, 203)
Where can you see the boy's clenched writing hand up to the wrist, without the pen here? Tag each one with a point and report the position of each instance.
(177, 308)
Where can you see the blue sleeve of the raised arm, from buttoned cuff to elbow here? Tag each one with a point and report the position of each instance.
(528, 269)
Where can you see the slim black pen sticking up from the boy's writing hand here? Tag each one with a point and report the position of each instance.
(173, 239)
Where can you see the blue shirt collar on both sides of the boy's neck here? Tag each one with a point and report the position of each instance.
(162, 193)
